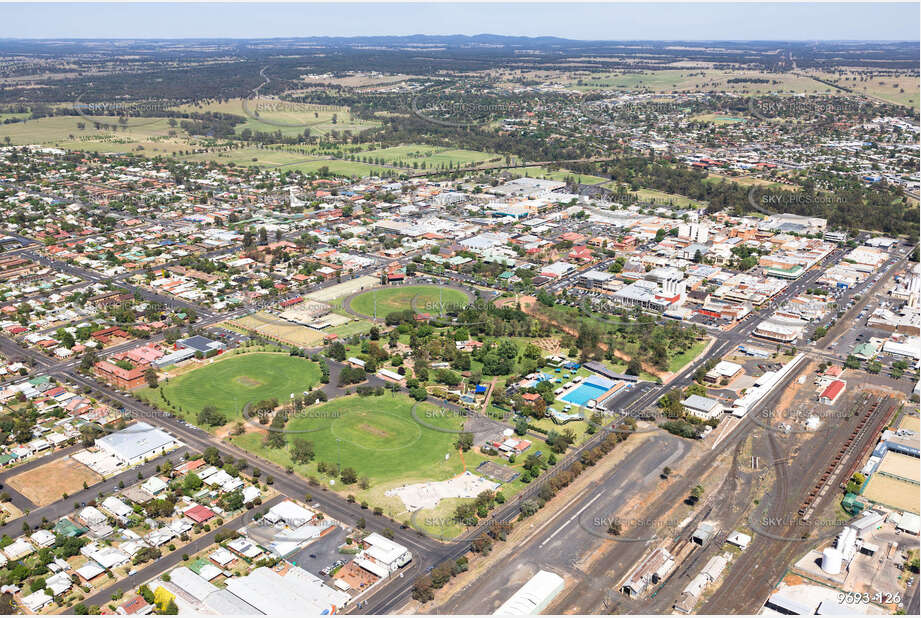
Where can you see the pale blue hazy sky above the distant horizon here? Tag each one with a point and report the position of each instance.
(649, 21)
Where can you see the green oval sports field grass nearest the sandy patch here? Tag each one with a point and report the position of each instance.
(376, 436)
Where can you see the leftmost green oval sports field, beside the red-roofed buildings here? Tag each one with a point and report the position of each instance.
(230, 383)
